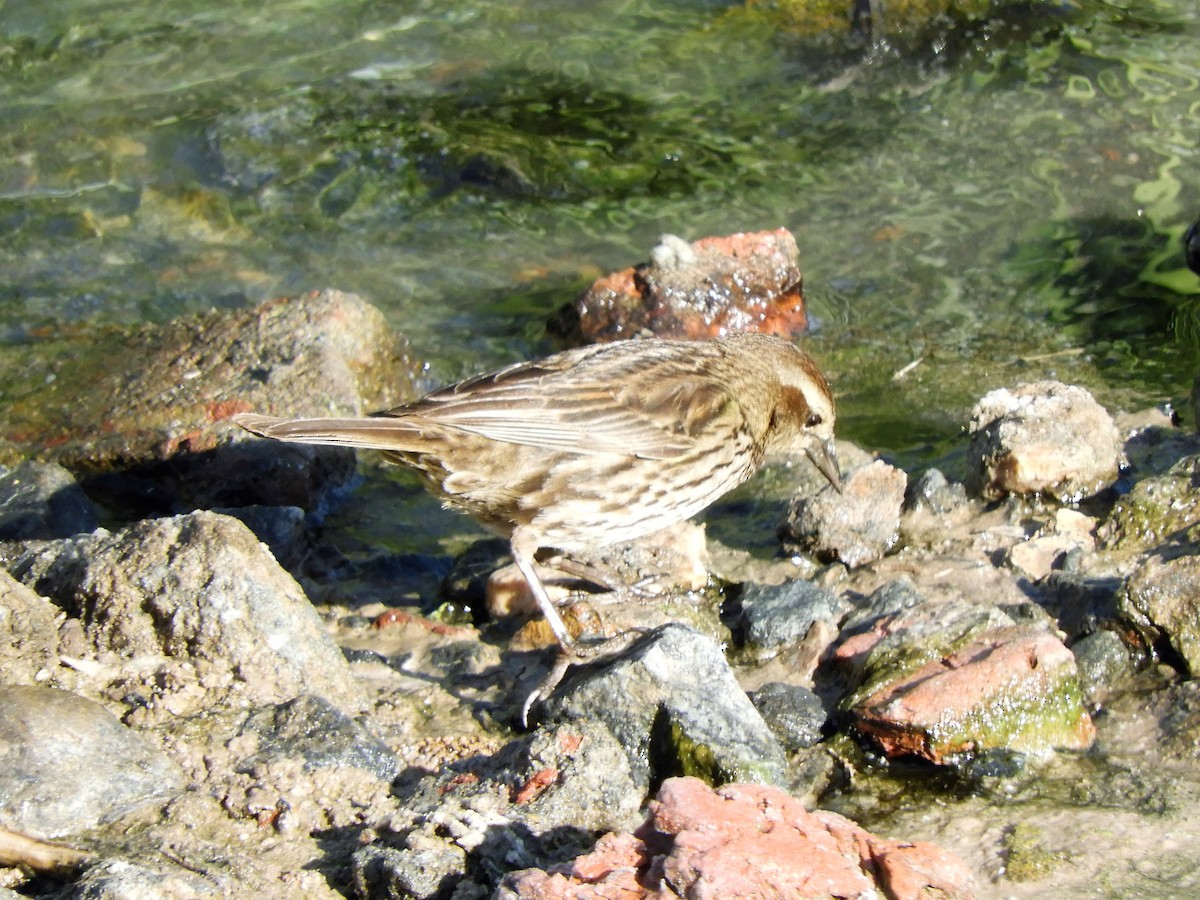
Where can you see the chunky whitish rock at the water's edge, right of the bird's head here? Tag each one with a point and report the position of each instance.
(1046, 437)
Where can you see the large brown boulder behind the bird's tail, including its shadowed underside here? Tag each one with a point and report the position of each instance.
(143, 428)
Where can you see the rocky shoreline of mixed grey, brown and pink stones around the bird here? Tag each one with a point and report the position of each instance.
(195, 704)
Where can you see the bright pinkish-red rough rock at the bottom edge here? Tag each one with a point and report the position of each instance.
(746, 842)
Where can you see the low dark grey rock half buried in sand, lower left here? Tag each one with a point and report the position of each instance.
(310, 729)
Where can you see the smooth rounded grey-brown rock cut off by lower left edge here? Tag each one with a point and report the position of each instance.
(67, 764)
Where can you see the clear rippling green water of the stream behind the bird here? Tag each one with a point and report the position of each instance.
(1001, 200)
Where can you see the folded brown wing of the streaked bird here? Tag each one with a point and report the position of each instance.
(598, 400)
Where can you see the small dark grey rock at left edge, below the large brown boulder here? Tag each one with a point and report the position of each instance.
(40, 501)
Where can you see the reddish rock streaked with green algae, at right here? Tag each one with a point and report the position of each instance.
(943, 680)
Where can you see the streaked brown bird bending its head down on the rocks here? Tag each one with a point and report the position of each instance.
(601, 445)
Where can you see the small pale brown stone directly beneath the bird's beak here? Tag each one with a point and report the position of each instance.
(857, 526)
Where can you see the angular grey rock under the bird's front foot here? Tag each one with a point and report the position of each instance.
(674, 705)
